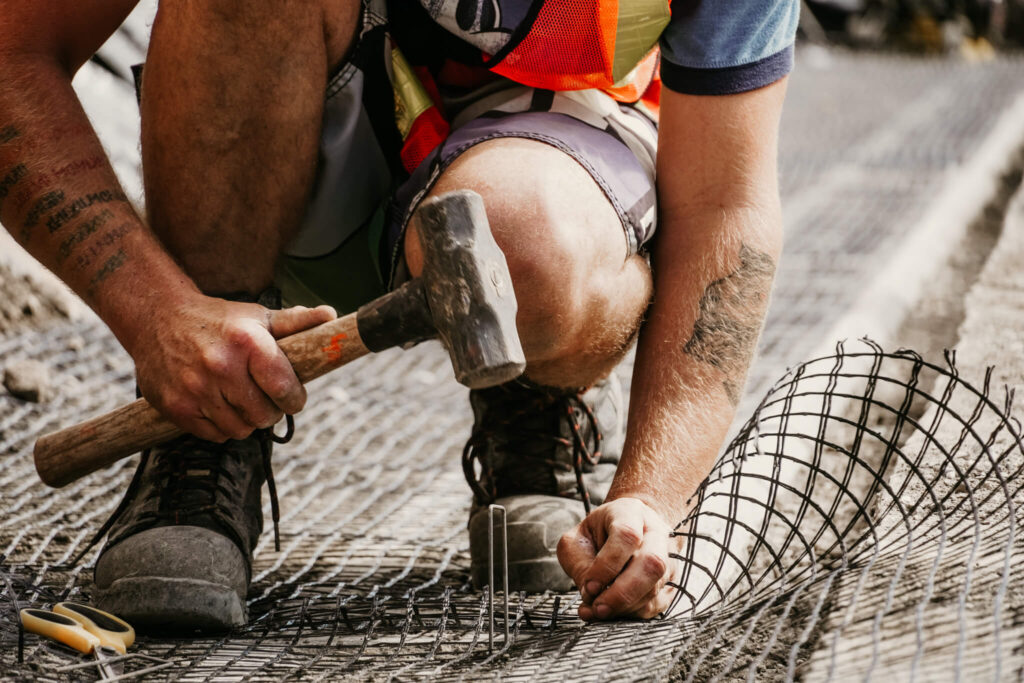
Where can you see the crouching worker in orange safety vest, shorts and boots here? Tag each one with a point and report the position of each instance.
(285, 148)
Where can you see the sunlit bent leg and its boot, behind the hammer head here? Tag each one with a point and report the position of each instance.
(582, 292)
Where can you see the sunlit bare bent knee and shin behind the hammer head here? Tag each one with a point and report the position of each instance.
(581, 296)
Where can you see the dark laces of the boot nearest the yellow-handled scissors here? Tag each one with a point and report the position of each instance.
(195, 482)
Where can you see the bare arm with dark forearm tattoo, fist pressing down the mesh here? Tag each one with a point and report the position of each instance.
(714, 262)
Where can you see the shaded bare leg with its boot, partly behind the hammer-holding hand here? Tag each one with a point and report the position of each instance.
(228, 161)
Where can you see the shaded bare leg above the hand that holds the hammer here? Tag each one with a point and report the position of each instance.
(232, 108)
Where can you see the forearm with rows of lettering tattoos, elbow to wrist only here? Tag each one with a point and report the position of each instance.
(61, 199)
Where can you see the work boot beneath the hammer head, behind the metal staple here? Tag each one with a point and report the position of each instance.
(544, 457)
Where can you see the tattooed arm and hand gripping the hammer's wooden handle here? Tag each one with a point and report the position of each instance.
(209, 365)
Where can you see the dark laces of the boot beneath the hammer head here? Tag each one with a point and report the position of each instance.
(521, 428)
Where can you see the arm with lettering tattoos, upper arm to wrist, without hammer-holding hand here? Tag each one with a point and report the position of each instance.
(59, 195)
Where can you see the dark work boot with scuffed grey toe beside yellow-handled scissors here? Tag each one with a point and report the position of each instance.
(179, 556)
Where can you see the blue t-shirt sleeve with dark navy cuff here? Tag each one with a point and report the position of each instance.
(719, 48)
